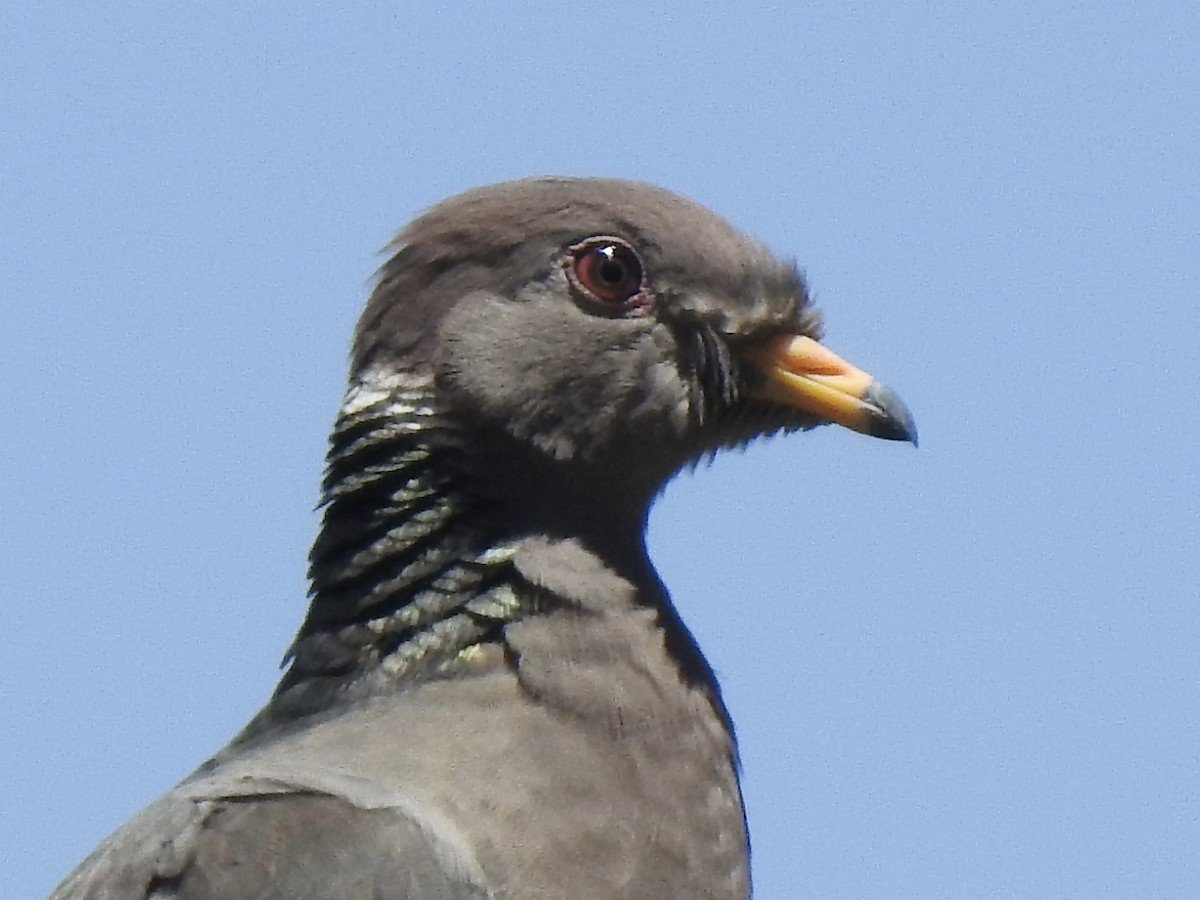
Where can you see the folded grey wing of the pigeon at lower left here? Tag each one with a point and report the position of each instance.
(284, 845)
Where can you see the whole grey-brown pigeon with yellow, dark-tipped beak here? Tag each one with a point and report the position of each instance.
(493, 695)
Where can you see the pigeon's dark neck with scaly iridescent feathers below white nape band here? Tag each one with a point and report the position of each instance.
(413, 579)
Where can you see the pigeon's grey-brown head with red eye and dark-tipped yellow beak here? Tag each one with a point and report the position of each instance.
(608, 325)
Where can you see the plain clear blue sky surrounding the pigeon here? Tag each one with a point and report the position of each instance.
(968, 671)
